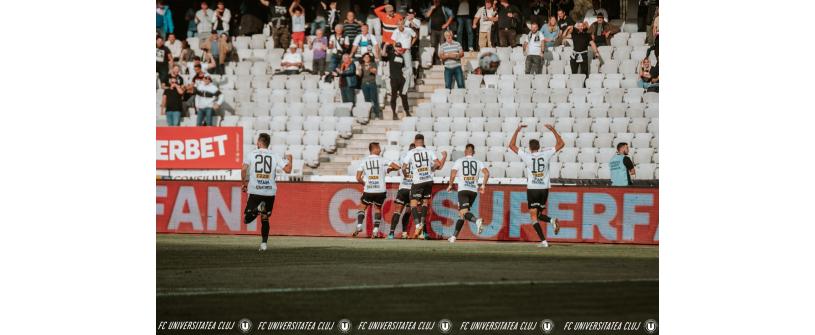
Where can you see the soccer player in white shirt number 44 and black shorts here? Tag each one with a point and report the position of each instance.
(371, 173)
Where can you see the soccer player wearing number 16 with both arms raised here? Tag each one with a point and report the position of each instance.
(537, 174)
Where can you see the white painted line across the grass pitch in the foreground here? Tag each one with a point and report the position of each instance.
(177, 292)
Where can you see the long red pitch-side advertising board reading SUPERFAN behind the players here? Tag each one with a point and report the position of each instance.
(586, 214)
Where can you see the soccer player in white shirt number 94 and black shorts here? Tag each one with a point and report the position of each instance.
(422, 162)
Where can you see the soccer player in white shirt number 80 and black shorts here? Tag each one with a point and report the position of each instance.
(467, 183)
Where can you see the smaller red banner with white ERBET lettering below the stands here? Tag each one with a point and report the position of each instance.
(199, 147)
